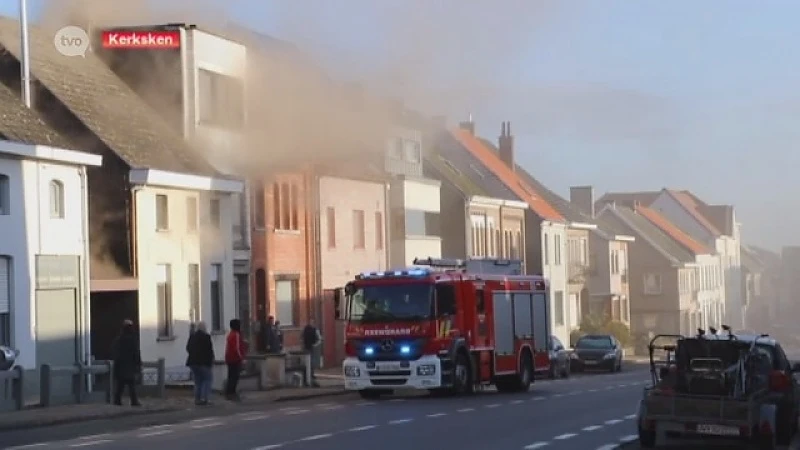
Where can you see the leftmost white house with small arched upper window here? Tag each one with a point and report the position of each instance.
(44, 294)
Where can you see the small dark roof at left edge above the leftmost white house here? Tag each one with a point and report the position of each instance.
(20, 124)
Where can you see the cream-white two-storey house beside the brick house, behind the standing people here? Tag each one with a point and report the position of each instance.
(185, 260)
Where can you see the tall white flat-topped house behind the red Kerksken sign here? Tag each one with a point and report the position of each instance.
(201, 92)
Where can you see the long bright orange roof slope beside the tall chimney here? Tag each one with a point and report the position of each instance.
(492, 162)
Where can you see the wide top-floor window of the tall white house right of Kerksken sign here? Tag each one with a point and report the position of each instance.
(221, 99)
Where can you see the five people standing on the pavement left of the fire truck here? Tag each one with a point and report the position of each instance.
(200, 357)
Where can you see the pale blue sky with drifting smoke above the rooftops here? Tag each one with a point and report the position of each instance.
(621, 95)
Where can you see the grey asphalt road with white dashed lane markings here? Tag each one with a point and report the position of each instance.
(583, 413)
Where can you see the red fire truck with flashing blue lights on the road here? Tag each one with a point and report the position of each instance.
(444, 325)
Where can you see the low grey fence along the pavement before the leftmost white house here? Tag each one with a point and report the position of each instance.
(78, 383)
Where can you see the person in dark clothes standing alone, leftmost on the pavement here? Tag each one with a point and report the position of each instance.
(127, 363)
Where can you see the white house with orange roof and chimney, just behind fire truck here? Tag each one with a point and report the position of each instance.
(545, 228)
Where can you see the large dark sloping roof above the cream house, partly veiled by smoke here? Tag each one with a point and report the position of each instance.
(105, 105)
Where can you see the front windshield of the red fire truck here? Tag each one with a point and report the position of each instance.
(389, 302)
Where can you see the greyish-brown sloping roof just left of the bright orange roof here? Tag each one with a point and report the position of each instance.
(461, 168)
